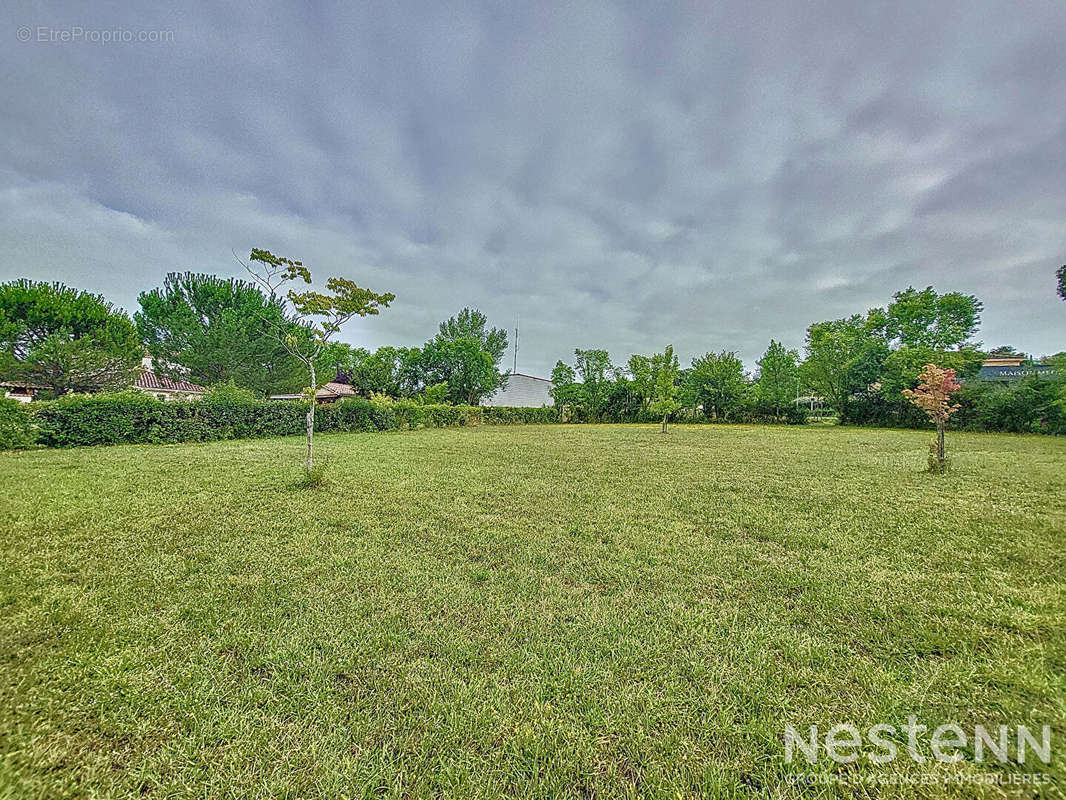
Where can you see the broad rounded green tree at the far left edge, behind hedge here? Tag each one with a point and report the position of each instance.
(64, 340)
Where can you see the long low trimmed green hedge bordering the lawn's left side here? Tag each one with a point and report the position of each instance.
(134, 418)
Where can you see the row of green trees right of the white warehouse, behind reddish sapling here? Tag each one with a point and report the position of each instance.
(858, 367)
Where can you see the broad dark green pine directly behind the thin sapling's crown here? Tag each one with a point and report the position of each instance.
(213, 330)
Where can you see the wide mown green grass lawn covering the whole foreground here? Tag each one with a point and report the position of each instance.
(543, 612)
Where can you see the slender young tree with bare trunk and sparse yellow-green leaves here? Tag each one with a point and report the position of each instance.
(343, 301)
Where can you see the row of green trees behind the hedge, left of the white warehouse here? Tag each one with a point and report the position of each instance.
(213, 331)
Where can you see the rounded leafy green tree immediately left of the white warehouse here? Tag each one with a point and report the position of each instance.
(466, 355)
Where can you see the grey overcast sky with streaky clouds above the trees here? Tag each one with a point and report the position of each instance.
(622, 175)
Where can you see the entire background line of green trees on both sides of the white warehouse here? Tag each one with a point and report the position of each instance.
(214, 330)
